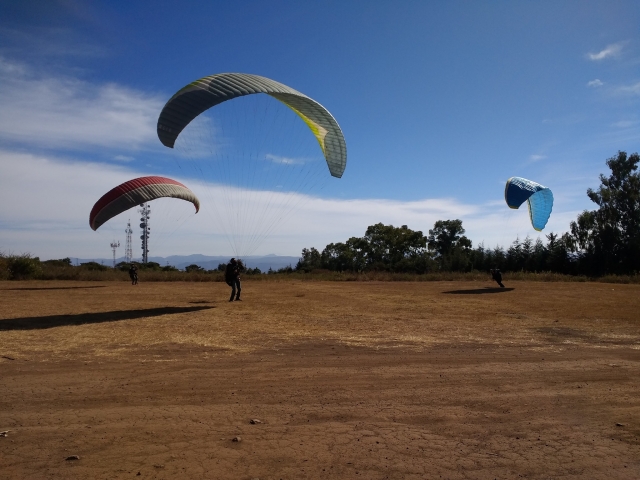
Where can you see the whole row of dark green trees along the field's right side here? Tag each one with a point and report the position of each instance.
(599, 242)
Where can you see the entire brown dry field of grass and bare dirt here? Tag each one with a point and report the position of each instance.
(396, 380)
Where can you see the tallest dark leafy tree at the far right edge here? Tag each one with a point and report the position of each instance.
(609, 238)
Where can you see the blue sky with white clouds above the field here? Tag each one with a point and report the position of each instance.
(439, 102)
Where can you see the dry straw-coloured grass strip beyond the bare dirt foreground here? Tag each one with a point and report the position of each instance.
(69, 319)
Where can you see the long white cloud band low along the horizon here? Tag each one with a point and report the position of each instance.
(51, 200)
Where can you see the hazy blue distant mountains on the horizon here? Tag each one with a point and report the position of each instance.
(208, 262)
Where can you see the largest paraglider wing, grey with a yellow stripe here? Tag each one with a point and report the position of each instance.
(210, 91)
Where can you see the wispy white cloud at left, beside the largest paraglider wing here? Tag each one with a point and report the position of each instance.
(62, 112)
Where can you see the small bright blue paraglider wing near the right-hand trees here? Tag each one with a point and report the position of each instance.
(539, 199)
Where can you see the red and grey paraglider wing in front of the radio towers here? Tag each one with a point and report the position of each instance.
(135, 192)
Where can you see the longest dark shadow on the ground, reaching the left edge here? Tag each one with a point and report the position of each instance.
(51, 321)
